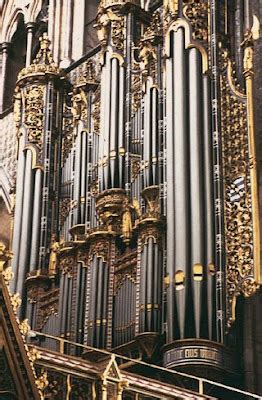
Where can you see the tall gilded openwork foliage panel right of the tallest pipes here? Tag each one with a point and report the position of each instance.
(238, 206)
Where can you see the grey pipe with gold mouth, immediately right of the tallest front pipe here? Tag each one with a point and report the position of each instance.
(196, 181)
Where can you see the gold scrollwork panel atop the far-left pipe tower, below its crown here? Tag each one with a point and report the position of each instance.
(34, 116)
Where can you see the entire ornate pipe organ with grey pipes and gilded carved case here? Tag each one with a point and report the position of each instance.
(136, 194)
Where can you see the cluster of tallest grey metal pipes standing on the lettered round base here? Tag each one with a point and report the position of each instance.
(190, 231)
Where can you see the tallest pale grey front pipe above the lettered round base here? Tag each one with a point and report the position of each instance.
(181, 201)
